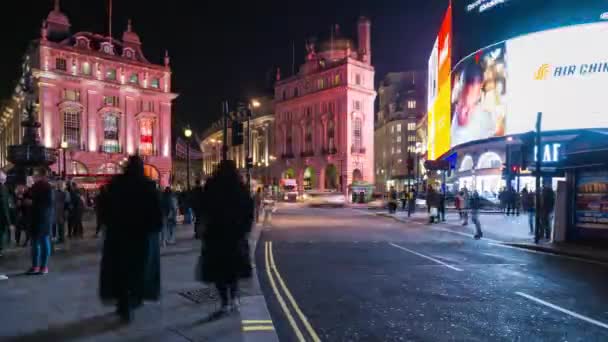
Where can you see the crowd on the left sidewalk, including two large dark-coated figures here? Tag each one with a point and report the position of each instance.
(136, 219)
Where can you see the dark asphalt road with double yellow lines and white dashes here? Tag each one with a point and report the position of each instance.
(343, 275)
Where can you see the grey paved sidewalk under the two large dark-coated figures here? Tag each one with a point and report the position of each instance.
(64, 305)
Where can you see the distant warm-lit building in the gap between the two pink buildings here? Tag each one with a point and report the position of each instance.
(261, 130)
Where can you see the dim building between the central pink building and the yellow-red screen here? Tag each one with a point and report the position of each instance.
(399, 133)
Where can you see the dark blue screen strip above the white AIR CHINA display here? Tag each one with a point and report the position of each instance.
(479, 23)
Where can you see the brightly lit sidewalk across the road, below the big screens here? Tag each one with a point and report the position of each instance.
(508, 230)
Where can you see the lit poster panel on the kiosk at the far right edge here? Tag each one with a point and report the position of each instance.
(592, 200)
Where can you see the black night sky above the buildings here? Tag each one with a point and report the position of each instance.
(230, 49)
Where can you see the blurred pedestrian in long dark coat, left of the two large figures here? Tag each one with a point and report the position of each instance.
(130, 264)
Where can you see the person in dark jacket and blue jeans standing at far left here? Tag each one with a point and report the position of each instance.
(43, 212)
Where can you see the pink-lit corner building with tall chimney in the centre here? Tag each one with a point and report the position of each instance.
(324, 115)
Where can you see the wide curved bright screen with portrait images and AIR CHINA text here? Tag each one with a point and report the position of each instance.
(562, 73)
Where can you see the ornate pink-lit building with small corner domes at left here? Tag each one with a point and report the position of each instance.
(100, 97)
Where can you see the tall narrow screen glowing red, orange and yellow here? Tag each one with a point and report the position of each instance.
(439, 108)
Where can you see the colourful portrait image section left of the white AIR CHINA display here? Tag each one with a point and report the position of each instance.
(479, 96)
